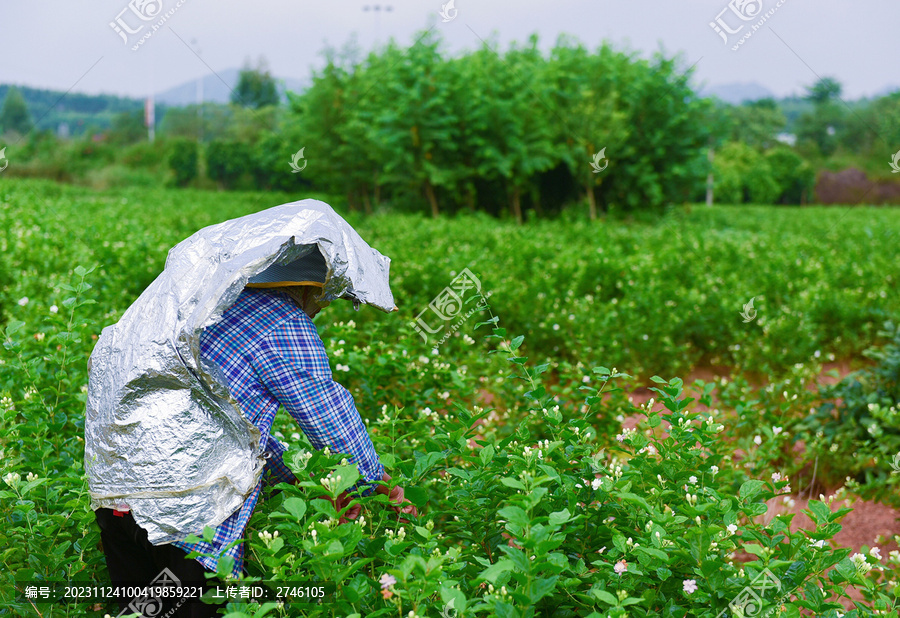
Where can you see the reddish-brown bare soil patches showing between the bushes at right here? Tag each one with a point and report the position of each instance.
(861, 527)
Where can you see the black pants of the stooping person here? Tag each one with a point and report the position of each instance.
(133, 561)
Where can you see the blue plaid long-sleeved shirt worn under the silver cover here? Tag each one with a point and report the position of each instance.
(271, 355)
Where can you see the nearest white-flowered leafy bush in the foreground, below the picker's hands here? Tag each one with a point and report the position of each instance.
(554, 519)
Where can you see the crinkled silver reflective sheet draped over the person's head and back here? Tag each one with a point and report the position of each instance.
(162, 433)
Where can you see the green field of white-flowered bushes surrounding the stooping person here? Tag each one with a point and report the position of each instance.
(591, 300)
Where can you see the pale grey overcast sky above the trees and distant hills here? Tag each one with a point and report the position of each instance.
(66, 45)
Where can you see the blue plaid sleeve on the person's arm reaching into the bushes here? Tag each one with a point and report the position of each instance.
(292, 364)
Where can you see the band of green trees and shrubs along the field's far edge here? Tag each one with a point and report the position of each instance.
(516, 131)
